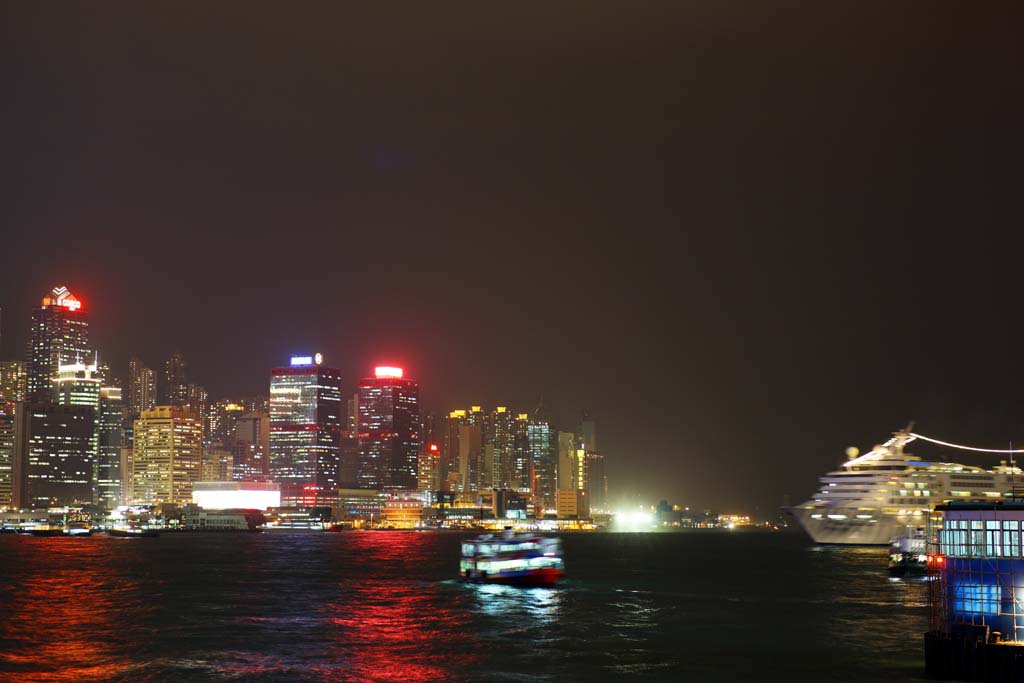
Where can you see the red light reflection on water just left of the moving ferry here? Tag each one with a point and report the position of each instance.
(394, 630)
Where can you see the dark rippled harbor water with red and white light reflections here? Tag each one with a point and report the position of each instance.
(387, 607)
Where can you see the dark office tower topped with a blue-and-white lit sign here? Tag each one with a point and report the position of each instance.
(306, 432)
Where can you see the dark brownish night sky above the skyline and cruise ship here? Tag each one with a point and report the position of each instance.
(746, 236)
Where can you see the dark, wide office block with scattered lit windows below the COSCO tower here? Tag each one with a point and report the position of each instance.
(55, 458)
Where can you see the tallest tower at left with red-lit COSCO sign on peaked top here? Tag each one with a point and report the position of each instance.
(60, 336)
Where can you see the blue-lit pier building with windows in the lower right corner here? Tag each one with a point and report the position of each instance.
(976, 593)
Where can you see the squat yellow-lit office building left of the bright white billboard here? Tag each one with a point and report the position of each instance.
(167, 456)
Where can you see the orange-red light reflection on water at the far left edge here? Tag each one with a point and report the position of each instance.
(62, 616)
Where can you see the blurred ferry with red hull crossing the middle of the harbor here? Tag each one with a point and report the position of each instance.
(522, 560)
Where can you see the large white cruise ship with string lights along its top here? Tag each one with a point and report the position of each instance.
(888, 493)
